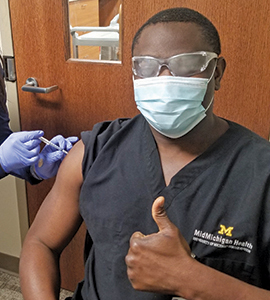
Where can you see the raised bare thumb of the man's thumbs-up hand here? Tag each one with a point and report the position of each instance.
(159, 214)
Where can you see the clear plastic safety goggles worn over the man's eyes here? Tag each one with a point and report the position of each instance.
(185, 64)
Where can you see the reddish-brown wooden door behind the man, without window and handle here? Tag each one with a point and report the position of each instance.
(91, 92)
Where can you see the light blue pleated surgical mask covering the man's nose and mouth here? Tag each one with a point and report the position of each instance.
(172, 105)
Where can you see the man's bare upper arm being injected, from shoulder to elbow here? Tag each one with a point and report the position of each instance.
(58, 218)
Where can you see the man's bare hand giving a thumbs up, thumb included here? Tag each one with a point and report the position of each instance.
(155, 262)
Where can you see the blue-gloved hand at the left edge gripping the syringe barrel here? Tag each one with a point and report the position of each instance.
(20, 150)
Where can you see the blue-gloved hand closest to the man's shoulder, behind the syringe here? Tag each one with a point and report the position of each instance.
(51, 158)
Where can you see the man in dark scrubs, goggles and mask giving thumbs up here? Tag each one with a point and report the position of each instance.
(176, 200)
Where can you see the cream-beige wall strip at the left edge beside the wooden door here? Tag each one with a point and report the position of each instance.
(13, 208)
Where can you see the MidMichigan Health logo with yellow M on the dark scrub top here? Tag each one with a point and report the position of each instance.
(223, 239)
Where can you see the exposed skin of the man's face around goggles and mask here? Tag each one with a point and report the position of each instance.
(164, 40)
